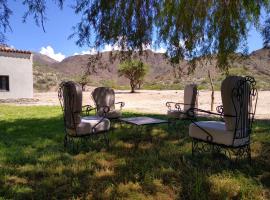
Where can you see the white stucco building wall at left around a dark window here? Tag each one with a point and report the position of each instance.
(19, 68)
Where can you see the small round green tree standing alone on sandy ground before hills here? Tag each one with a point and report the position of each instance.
(135, 71)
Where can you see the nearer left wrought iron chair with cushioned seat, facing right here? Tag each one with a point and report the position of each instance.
(76, 126)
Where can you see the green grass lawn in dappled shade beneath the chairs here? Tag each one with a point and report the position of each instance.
(35, 165)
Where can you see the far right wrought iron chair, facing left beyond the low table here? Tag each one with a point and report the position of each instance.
(178, 111)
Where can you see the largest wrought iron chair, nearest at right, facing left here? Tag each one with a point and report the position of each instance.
(231, 136)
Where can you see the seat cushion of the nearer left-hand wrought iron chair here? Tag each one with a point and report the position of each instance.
(87, 123)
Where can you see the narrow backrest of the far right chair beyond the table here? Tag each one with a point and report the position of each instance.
(190, 96)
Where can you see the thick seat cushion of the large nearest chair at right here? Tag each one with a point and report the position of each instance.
(218, 131)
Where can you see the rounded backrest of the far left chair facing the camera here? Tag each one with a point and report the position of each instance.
(104, 96)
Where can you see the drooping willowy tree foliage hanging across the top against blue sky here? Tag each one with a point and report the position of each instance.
(188, 29)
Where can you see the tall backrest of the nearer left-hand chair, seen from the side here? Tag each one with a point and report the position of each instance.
(70, 97)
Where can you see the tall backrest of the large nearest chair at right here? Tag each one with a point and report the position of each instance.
(239, 99)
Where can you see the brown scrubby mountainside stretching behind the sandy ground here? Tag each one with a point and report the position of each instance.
(48, 73)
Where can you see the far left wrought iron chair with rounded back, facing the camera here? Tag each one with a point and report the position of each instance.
(104, 96)
